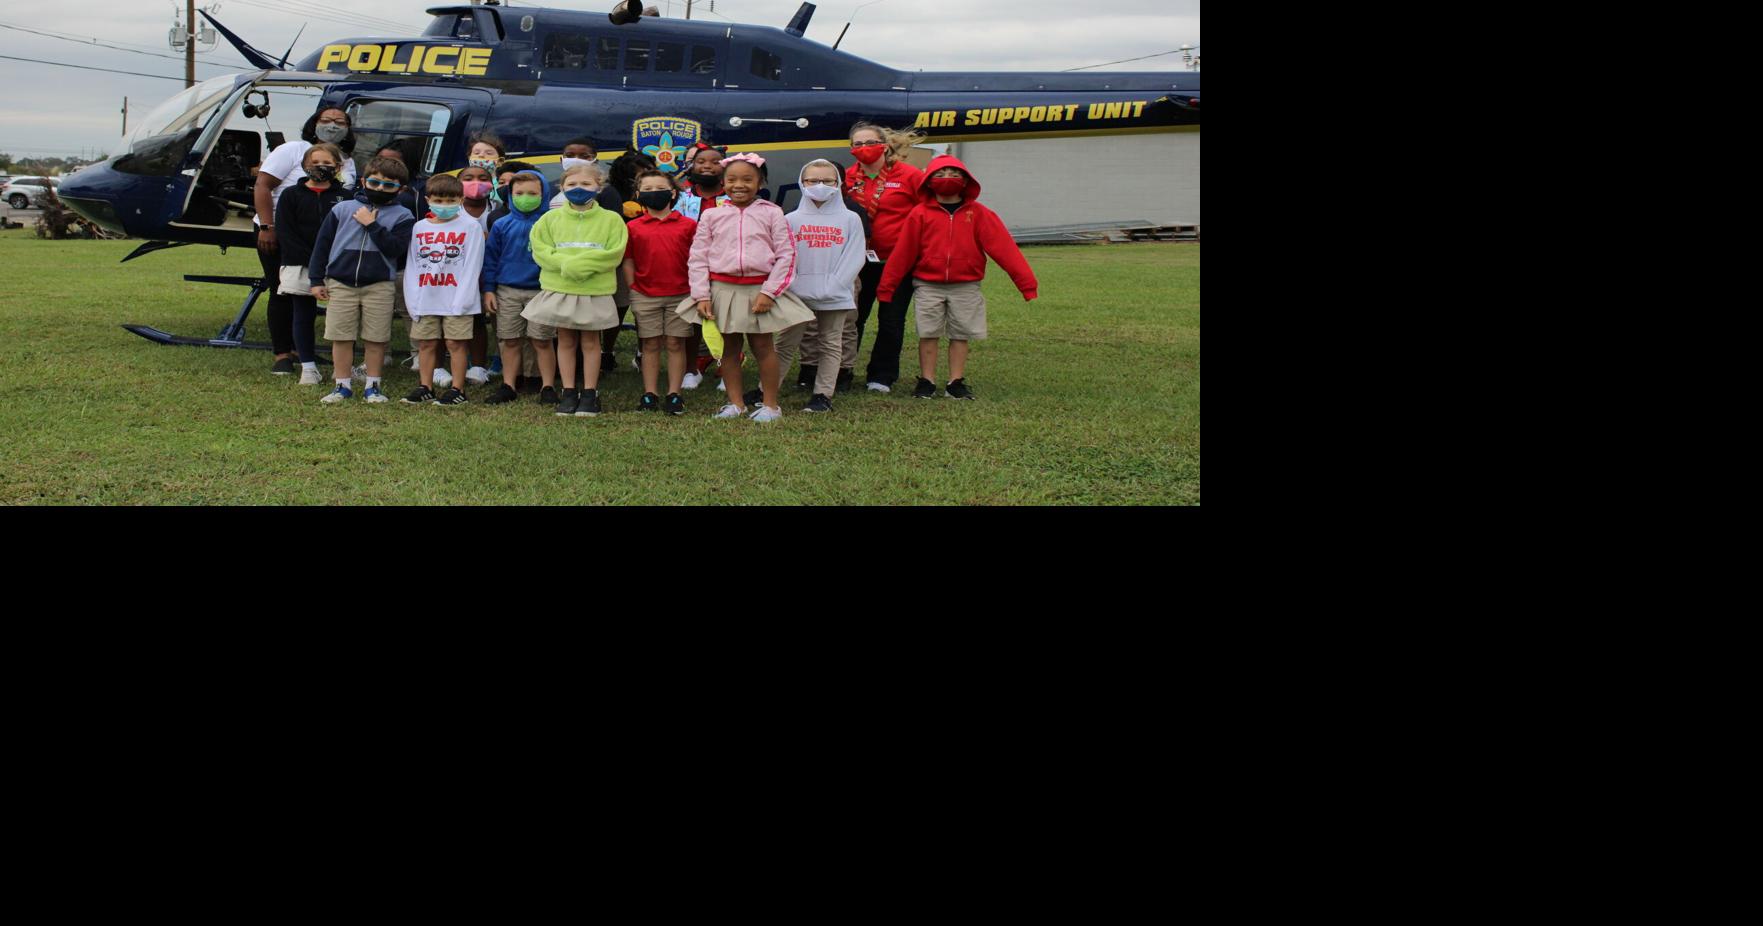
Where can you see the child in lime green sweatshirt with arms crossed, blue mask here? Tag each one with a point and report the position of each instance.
(579, 250)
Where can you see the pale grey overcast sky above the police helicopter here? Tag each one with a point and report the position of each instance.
(61, 112)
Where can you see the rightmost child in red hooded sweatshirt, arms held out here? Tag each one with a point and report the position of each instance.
(944, 246)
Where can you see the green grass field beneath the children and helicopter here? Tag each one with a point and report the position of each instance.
(1089, 396)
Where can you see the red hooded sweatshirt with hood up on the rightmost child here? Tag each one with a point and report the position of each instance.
(941, 248)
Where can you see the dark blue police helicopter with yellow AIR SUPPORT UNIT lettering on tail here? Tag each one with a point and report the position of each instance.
(542, 77)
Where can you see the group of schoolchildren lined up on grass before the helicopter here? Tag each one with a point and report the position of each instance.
(496, 248)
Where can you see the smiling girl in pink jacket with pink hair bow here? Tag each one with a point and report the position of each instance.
(743, 262)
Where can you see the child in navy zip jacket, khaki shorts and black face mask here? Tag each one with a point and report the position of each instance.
(355, 265)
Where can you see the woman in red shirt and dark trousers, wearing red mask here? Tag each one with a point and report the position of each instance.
(888, 188)
